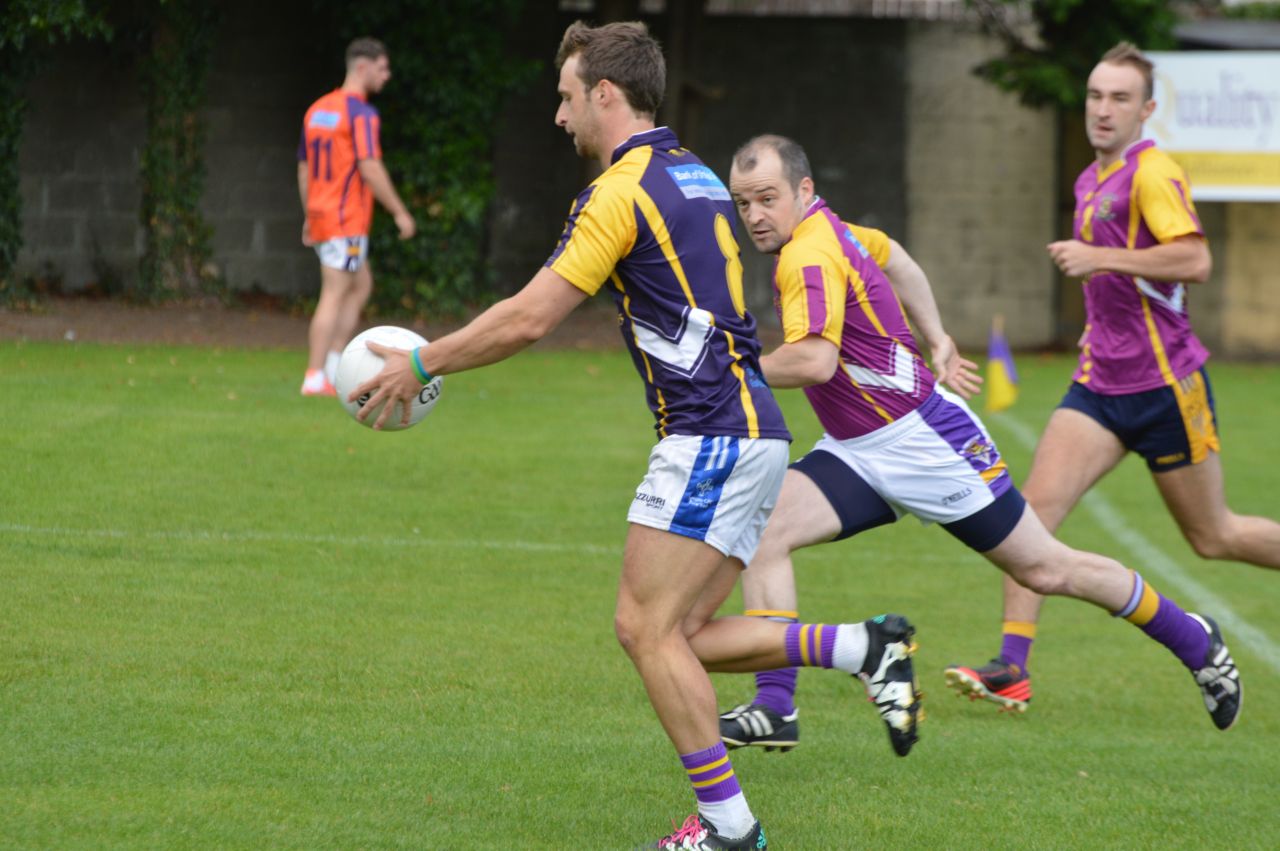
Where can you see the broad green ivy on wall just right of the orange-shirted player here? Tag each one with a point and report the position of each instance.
(450, 76)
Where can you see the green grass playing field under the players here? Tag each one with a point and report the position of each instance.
(231, 619)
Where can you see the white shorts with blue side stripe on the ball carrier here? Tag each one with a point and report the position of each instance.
(720, 491)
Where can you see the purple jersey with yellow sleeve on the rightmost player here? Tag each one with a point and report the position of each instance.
(1137, 335)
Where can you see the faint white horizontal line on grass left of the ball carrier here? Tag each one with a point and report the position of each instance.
(292, 538)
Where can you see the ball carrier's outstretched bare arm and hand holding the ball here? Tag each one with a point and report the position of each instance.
(496, 335)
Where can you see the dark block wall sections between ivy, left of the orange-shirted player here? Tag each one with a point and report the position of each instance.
(84, 136)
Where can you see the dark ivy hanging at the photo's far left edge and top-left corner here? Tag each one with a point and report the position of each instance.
(28, 28)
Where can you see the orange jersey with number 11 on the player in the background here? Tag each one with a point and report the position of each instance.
(339, 131)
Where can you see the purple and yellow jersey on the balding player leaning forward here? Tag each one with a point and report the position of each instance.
(829, 283)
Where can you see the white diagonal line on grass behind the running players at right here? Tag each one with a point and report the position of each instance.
(1151, 559)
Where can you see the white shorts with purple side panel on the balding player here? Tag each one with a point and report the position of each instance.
(938, 463)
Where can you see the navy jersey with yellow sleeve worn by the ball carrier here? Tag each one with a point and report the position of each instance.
(657, 227)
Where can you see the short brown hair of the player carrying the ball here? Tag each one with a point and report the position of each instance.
(625, 54)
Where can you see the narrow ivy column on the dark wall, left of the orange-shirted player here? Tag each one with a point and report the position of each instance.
(176, 264)
